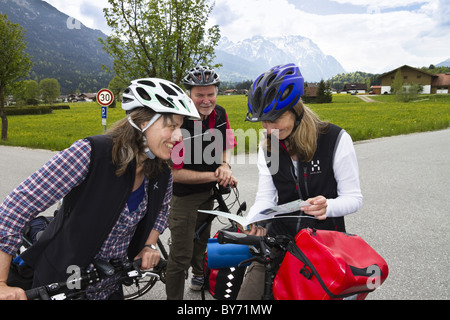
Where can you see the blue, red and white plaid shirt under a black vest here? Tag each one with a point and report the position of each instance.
(51, 183)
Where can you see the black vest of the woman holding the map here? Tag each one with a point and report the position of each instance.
(315, 178)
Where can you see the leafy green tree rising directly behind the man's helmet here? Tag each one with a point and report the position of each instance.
(159, 38)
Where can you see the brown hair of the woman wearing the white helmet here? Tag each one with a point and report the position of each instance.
(128, 144)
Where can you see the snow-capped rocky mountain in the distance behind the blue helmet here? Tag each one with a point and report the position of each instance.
(247, 59)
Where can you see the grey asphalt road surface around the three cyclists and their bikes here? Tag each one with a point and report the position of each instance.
(405, 182)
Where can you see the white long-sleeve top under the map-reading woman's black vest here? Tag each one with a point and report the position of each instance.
(346, 172)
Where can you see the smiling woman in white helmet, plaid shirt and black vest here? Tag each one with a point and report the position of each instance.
(116, 189)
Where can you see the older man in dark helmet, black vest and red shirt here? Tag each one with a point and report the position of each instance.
(200, 161)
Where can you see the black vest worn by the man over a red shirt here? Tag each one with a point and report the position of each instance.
(203, 149)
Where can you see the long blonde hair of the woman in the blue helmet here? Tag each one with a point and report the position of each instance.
(303, 141)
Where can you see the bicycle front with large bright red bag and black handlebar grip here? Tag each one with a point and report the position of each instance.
(331, 265)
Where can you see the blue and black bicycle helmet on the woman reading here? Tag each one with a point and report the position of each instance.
(274, 92)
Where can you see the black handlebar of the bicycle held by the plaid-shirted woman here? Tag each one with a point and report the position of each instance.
(128, 272)
